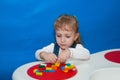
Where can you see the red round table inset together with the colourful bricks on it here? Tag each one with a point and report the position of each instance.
(48, 71)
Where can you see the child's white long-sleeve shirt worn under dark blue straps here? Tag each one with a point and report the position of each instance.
(79, 52)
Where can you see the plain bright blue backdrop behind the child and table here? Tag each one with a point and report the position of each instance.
(26, 25)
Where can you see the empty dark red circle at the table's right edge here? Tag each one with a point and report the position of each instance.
(113, 56)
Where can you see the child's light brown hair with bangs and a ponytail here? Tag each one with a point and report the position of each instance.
(70, 21)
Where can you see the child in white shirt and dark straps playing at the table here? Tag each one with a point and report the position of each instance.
(68, 44)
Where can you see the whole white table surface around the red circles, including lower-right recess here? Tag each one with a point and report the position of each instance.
(87, 70)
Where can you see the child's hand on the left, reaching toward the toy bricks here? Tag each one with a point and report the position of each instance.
(49, 57)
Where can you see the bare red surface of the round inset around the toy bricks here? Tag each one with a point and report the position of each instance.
(58, 75)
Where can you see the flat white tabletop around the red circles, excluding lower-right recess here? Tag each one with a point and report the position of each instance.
(85, 68)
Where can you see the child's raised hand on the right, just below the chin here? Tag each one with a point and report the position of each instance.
(63, 56)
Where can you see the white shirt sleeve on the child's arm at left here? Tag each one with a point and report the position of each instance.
(48, 49)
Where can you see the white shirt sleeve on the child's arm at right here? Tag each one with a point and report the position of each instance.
(79, 52)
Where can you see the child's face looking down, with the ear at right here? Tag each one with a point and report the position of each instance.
(65, 38)
